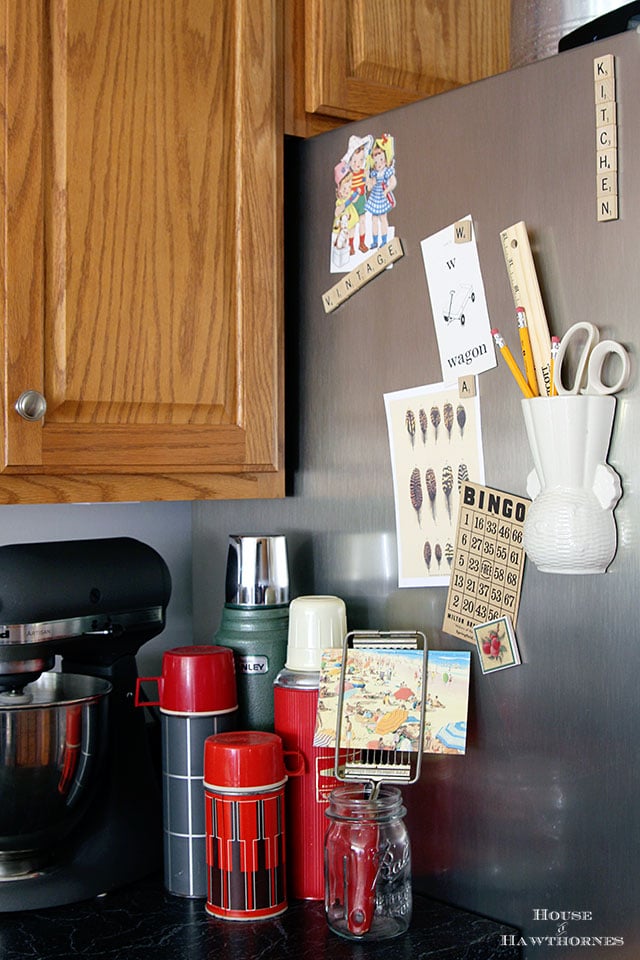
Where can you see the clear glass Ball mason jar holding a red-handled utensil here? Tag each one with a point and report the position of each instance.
(367, 863)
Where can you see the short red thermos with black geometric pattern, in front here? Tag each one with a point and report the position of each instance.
(244, 779)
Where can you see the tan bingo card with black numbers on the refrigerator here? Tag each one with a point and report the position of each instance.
(486, 574)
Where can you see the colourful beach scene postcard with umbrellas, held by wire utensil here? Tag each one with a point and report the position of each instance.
(382, 697)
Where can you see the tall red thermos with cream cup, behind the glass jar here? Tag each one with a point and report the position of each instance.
(315, 624)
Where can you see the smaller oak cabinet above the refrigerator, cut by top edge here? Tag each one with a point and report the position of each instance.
(350, 59)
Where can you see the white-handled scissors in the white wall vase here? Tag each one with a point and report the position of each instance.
(591, 358)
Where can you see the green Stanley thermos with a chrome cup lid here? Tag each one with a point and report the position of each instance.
(255, 622)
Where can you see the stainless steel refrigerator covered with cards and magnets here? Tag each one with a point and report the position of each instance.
(538, 824)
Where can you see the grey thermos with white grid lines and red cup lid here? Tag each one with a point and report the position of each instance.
(197, 698)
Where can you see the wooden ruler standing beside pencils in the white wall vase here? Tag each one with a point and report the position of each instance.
(526, 293)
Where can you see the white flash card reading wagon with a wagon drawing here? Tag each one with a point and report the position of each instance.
(458, 303)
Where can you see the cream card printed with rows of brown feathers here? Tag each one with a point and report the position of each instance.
(435, 445)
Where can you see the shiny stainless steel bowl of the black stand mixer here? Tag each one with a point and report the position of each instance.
(51, 744)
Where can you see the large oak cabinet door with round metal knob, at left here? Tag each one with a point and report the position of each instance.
(142, 249)
